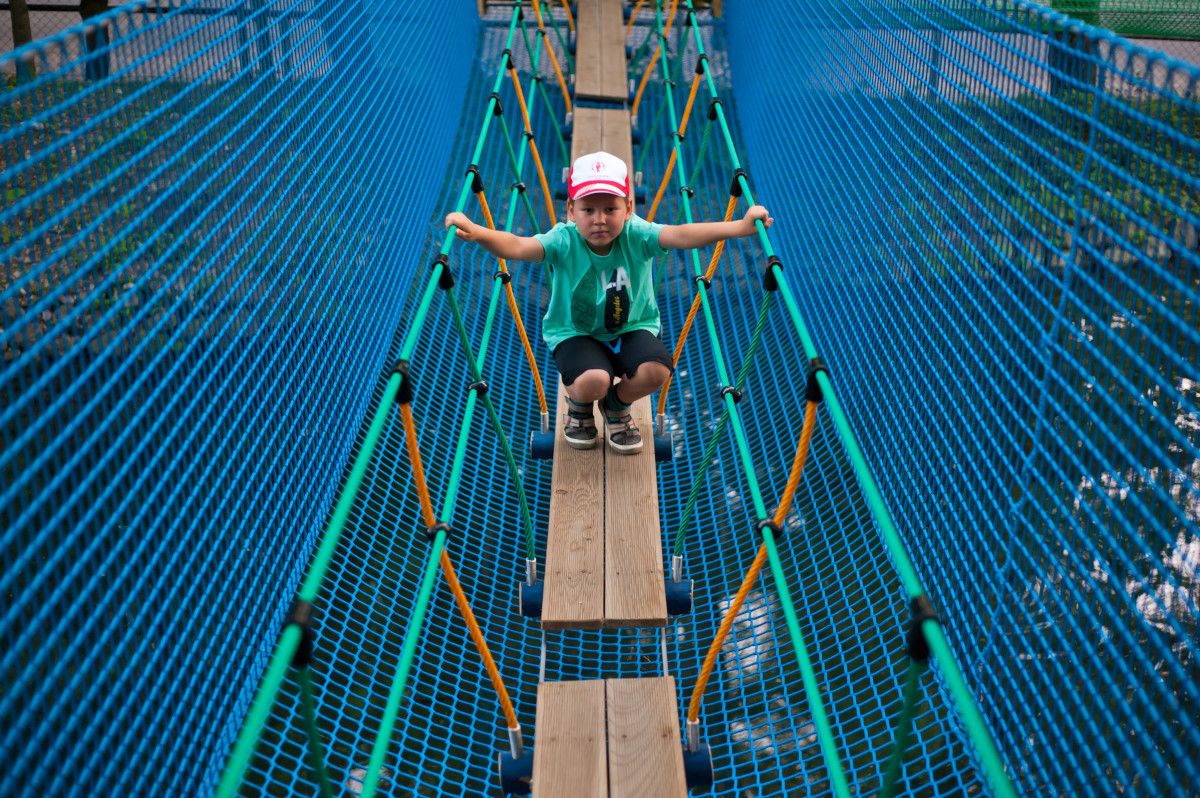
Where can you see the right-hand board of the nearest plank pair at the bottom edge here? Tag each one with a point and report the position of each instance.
(645, 751)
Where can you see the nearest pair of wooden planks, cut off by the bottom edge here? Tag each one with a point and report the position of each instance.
(614, 739)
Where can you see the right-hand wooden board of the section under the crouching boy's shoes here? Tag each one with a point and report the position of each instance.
(635, 592)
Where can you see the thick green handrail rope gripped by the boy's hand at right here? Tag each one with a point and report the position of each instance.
(977, 728)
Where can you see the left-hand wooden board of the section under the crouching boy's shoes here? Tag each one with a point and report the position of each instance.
(574, 583)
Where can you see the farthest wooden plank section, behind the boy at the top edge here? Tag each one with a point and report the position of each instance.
(601, 53)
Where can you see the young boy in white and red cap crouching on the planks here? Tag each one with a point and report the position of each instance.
(603, 321)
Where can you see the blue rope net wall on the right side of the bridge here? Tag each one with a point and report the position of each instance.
(995, 233)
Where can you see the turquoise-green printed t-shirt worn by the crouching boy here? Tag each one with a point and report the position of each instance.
(601, 296)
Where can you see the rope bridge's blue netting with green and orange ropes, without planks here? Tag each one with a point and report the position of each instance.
(217, 269)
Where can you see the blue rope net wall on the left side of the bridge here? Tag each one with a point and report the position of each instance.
(206, 255)
